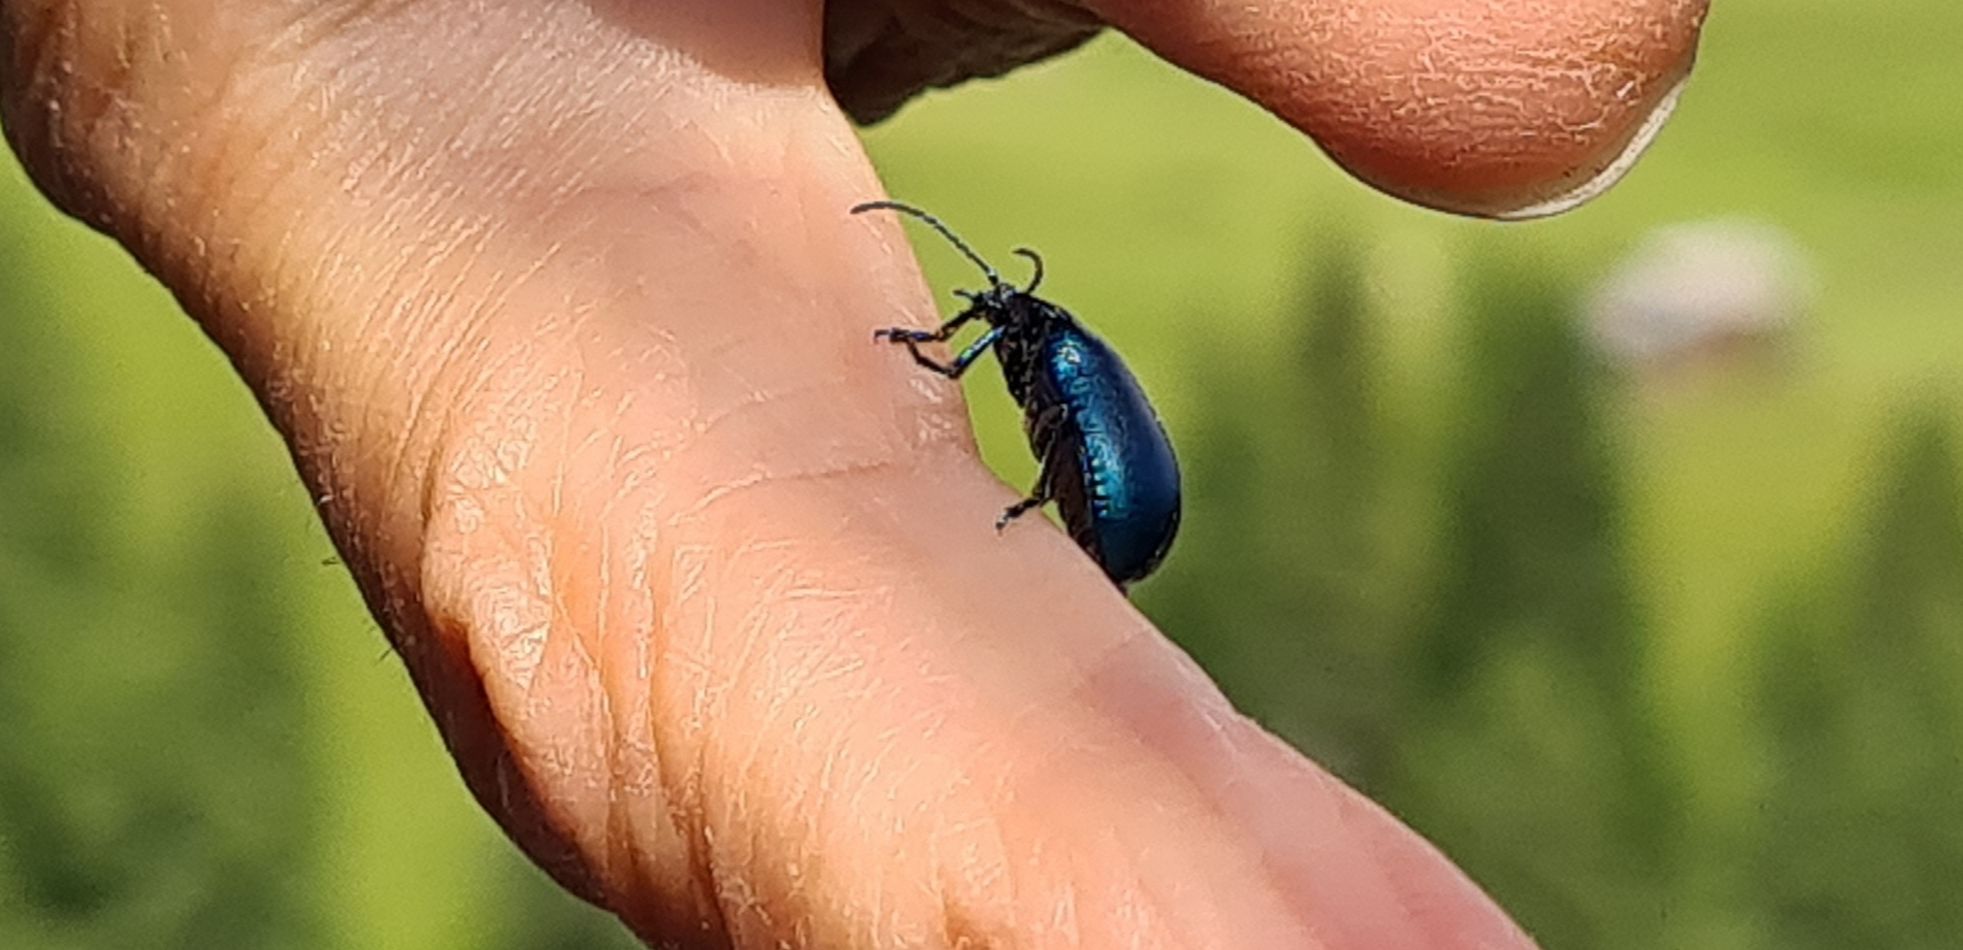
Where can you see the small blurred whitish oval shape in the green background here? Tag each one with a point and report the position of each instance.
(1697, 290)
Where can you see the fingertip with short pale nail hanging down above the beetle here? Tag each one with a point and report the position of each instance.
(1509, 109)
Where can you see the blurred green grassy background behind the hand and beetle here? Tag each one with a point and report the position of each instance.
(1664, 655)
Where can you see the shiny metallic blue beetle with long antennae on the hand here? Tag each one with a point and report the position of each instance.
(1106, 458)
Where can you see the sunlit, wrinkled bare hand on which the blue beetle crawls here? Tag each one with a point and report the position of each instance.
(562, 317)
